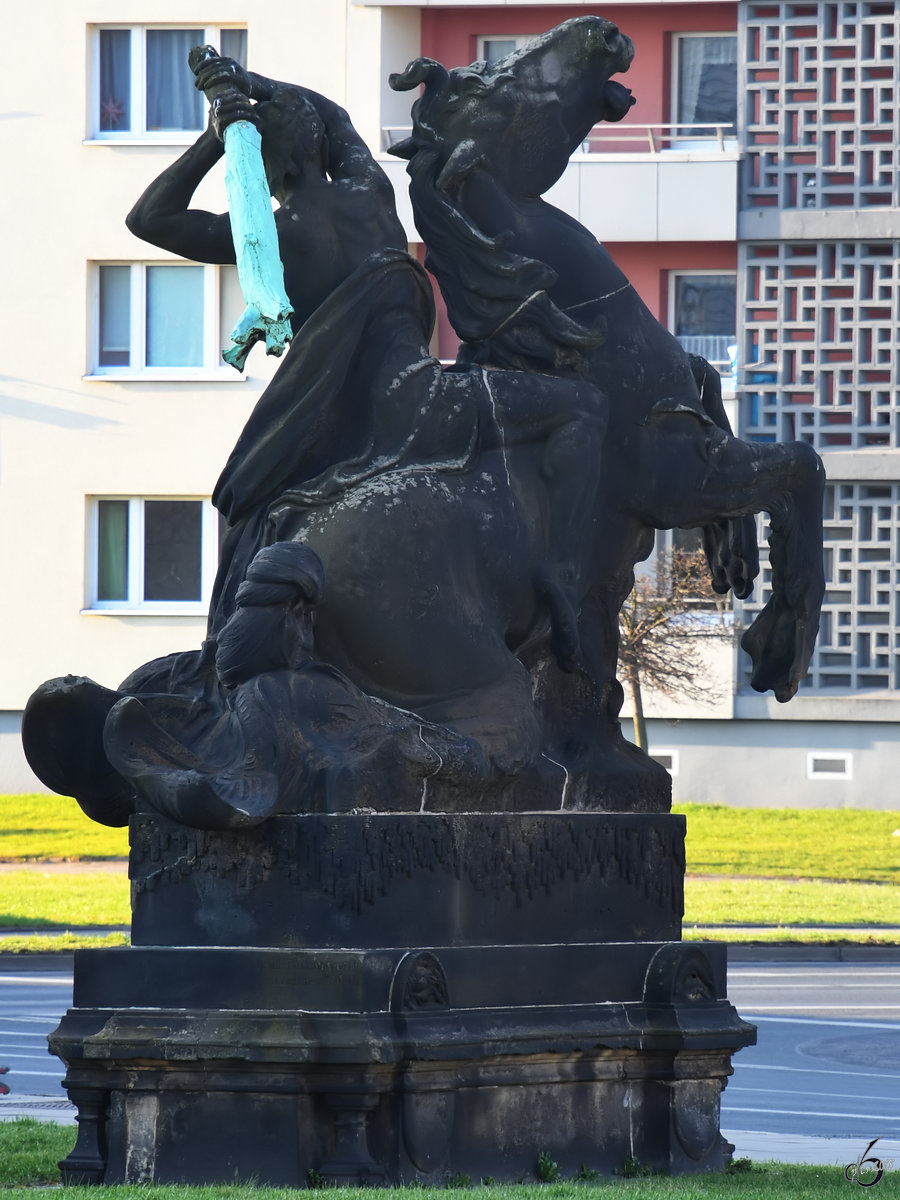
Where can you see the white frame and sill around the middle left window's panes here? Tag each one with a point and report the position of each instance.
(213, 335)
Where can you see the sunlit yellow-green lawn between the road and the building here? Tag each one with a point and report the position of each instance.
(806, 868)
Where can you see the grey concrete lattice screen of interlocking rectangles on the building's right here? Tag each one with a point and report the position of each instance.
(819, 327)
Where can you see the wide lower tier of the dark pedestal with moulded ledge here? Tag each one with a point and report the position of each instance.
(397, 1065)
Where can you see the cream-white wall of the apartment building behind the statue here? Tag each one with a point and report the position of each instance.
(64, 437)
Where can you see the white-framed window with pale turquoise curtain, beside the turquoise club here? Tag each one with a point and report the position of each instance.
(159, 320)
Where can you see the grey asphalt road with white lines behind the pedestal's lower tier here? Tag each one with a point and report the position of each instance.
(827, 1064)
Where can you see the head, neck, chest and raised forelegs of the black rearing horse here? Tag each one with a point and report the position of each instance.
(488, 142)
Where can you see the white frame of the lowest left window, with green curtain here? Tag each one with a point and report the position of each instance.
(135, 605)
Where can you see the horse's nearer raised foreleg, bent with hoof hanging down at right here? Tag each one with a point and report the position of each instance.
(734, 479)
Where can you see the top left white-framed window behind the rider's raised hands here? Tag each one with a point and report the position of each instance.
(143, 87)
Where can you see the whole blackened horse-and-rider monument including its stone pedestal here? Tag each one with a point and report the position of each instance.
(404, 897)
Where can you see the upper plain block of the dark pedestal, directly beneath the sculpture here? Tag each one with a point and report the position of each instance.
(459, 879)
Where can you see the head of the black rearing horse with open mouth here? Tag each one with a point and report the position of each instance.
(525, 115)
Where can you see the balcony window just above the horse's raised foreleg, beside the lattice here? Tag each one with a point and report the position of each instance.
(703, 308)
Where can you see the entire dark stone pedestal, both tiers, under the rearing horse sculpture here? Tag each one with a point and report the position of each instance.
(551, 1011)
